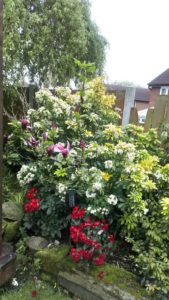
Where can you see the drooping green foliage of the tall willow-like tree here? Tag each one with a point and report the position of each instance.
(42, 39)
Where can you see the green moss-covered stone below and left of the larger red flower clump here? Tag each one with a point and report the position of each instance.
(55, 259)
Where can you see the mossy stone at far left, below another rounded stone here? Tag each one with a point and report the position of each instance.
(10, 230)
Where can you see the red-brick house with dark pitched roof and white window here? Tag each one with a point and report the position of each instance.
(158, 86)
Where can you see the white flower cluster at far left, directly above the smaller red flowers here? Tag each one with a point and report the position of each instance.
(26, 174)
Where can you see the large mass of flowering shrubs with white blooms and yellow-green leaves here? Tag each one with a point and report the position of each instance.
(72, 142)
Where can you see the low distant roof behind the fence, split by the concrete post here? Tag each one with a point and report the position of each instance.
(142, 94)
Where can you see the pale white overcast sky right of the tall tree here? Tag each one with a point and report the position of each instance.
(138, 36)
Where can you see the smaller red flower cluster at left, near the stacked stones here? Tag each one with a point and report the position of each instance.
(33, 204)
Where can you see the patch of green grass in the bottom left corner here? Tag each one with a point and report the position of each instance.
(24, 292)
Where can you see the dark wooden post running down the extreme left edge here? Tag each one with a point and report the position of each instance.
(1, 120)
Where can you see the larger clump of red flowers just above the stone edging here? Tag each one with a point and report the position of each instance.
(91, 237)
